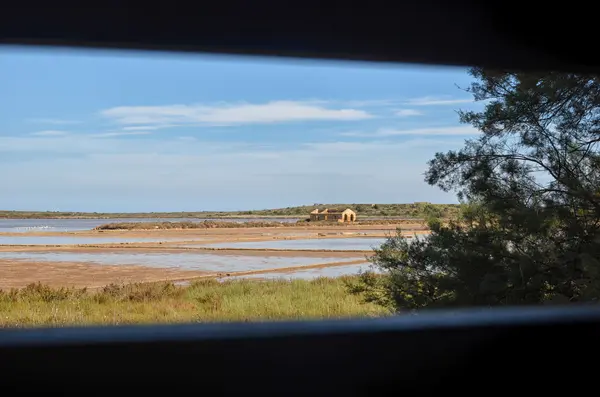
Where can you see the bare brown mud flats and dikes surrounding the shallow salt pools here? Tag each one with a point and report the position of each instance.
(19, 273)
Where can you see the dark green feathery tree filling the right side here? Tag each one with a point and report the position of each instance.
(529, 231)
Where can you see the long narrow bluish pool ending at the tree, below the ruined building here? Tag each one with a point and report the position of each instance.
(340, 244)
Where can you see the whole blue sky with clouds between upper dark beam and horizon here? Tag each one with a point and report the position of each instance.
(124, 131)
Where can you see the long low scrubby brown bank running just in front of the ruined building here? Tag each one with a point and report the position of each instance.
(217, 224)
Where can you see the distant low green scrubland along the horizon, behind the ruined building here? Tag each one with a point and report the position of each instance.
(413, 210)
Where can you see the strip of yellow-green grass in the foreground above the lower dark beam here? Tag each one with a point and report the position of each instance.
(202, 301)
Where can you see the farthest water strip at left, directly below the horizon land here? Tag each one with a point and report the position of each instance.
(69, 225)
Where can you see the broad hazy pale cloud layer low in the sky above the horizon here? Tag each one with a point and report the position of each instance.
(84, 173)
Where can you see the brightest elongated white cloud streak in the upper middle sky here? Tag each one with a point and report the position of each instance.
(271, 112)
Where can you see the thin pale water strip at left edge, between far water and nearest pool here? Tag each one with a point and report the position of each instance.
(71, 240)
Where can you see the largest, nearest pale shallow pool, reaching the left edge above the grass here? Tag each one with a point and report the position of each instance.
(183, 261)
